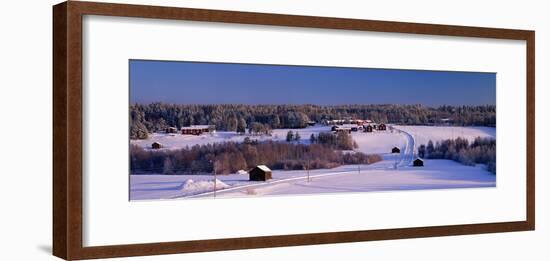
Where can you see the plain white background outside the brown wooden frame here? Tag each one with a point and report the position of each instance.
(25, 113)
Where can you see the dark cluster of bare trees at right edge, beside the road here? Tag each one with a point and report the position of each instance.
(480, 151)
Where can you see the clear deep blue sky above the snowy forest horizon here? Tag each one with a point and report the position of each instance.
(219, 83)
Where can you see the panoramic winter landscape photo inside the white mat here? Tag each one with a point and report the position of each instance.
(207, 130)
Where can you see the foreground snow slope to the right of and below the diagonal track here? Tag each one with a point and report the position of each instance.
(438, 174)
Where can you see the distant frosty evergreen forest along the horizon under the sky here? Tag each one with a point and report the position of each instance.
(148, 118)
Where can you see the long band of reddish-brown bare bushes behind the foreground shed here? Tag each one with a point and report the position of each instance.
(230, 157)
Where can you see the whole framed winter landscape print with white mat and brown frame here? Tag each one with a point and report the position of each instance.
(186, 130)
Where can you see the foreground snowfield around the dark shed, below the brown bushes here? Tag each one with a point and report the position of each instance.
(437, 174)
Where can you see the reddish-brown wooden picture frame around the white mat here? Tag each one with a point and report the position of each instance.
(68, 119)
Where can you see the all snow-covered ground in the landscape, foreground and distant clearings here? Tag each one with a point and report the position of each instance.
(393, 173)
